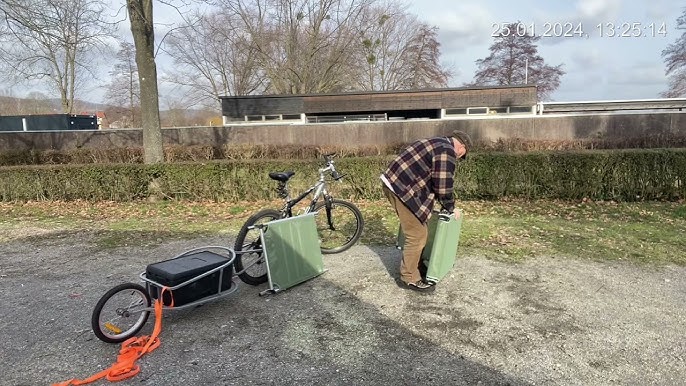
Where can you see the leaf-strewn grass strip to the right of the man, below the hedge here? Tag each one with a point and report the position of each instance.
(638, 232)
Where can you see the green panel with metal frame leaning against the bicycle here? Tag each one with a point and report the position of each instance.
(292, 251)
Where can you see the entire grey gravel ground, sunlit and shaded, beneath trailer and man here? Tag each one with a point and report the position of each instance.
(547, 321)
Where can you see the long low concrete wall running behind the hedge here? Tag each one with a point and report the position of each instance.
(567, 127)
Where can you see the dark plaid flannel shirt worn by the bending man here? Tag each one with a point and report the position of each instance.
(424, 173)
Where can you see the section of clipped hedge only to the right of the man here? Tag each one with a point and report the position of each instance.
(625, 175)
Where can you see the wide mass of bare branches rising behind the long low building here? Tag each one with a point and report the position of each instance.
(302, 46)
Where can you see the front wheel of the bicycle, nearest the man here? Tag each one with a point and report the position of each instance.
(339, 225)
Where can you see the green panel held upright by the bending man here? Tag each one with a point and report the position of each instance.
(438, 256)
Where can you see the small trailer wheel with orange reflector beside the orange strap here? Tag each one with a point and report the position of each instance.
(121, 313)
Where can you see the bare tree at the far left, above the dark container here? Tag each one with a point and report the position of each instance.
(53, 40)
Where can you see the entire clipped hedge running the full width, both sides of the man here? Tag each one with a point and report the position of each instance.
(622, 175)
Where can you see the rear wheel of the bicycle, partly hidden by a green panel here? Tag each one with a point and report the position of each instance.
(249, 240)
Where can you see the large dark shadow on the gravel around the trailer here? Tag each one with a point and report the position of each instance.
(312, 334)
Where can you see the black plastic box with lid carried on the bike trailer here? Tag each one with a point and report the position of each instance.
(176, 271)
